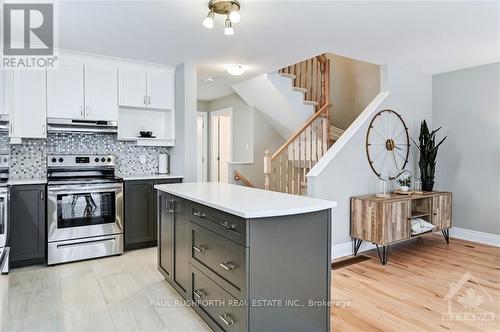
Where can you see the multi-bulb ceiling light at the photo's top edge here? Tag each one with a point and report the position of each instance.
(228, 8)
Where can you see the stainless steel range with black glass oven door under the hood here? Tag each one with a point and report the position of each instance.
(84, 208)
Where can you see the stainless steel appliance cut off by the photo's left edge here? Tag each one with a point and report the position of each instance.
(4, 215)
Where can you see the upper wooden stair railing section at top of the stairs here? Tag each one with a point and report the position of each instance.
(312, 75)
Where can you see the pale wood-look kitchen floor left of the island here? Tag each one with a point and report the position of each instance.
(121, 293)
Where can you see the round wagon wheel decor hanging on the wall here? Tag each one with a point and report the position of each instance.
(387, 144)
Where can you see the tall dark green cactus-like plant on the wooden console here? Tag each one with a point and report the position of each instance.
(428, 152)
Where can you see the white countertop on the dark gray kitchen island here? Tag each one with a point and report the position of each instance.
(245, 202)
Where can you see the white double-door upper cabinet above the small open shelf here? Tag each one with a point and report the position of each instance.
(146, 88)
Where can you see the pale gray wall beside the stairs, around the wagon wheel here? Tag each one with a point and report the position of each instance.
(348, 173)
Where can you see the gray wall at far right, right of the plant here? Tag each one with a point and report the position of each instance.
(466, 103)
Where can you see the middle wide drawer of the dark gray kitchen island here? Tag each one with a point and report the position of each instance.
(221, 259)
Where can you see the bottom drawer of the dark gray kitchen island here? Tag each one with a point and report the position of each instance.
(224, 311)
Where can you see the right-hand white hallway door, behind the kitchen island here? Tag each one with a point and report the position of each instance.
(220, 144)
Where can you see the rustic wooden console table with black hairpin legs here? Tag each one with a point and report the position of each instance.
(386, 221)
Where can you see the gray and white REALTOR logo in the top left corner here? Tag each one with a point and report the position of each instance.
(28, 36)
